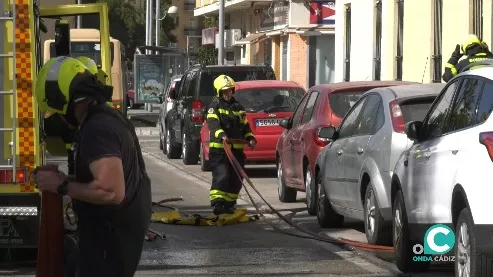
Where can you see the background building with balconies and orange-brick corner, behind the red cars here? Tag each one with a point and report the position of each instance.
(295, 37)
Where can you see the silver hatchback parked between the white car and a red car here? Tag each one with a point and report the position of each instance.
(353, 172)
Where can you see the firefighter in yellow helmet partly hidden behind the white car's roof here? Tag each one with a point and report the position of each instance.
(473, 48)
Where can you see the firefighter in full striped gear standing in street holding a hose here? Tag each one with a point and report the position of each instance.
(227, 120)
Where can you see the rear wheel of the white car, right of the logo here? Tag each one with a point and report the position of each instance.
(466, 256)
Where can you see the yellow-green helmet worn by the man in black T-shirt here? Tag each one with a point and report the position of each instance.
(54, 81)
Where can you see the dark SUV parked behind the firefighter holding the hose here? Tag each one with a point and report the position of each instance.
(194, 93)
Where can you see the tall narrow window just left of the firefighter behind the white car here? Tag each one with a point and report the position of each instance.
(437, 41)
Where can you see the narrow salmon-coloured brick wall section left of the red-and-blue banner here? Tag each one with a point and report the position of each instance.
(297, 56)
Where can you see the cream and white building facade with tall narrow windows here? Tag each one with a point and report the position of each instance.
(407, 40)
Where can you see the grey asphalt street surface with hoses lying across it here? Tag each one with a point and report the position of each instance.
(247, 249)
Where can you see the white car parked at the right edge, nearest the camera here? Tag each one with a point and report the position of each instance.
(445, 177)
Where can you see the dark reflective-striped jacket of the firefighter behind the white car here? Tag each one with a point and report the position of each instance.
(453, 67)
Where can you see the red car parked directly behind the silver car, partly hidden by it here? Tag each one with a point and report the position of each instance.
(299, 144)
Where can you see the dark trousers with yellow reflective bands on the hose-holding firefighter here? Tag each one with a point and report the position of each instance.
(226, 184)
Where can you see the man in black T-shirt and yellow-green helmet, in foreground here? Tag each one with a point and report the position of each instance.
(111, 190)
